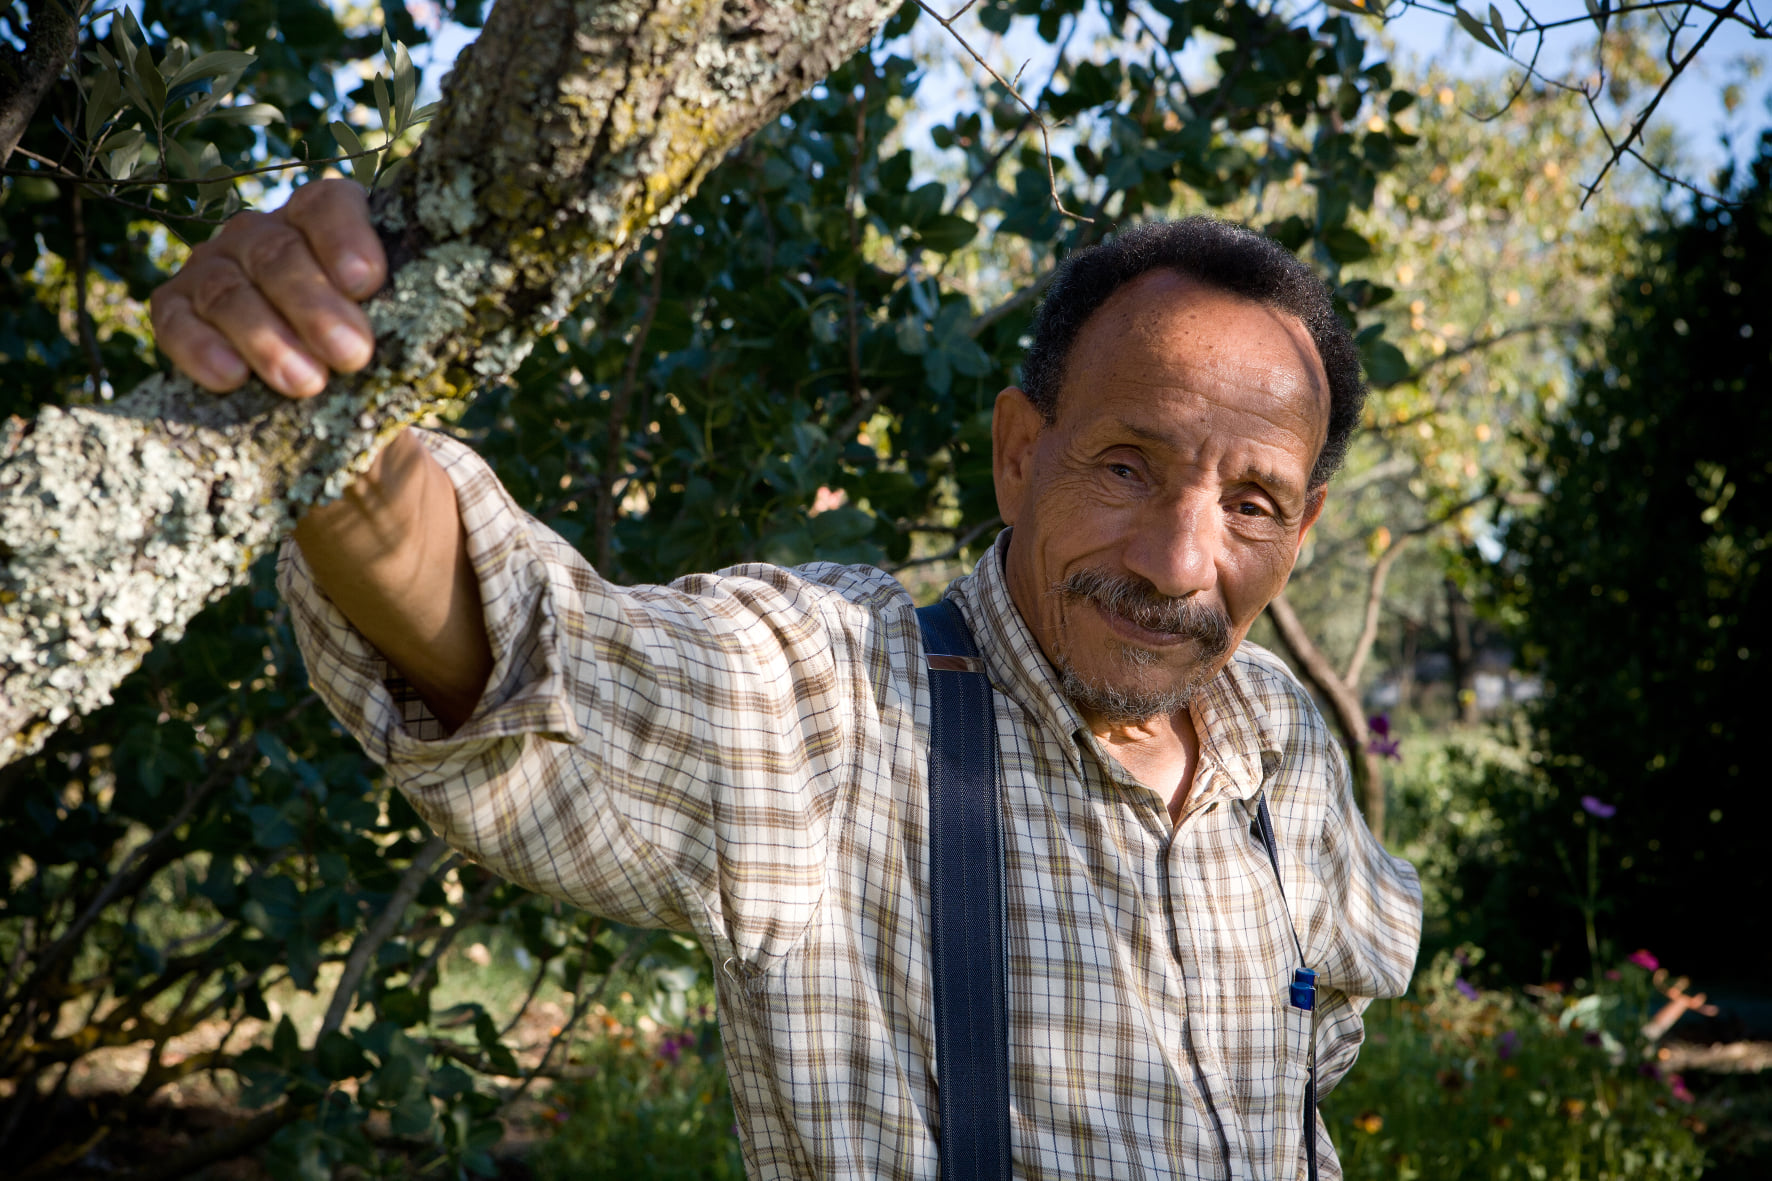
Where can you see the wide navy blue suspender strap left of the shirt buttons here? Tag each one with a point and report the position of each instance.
(967, 903)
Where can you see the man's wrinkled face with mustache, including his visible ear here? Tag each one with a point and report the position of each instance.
(1167, 504)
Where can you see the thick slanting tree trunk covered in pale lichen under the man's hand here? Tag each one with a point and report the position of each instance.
(564, 134)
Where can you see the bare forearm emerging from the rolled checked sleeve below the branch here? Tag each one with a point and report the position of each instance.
(392, 556)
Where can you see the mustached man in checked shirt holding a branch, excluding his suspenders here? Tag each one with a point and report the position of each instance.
(742, 756)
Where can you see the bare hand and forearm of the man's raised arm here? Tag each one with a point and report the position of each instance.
(277, 293)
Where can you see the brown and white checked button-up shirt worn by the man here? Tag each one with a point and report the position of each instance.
(742, 756)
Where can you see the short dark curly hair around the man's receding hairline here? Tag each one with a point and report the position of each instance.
(1218, 254)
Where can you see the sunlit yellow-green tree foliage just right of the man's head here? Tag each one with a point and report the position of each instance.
(1502, 269)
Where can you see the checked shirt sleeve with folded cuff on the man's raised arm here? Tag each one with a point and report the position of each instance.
(655, 755)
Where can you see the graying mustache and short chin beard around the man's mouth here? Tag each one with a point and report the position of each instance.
(1140, 602)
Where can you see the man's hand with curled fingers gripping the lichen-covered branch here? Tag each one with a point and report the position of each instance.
(277, 293)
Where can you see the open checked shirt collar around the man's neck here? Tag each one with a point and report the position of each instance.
(1236, 737)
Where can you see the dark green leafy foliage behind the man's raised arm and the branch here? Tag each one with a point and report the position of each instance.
(798, 363)
